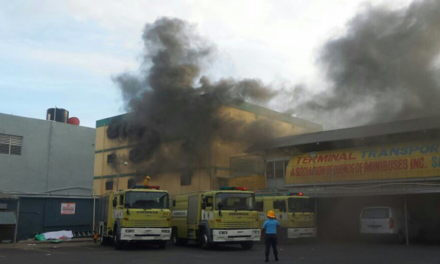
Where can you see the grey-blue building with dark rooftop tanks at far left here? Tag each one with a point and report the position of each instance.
(48, 165)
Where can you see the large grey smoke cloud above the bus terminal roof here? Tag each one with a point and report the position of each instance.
(385, 68)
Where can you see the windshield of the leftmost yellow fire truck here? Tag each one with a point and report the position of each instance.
(147, 200)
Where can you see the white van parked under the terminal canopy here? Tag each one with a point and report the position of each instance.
(387, 221)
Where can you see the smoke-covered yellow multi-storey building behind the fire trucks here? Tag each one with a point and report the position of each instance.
(220, 163)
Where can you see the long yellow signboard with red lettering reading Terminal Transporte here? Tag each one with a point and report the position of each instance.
(413, 160)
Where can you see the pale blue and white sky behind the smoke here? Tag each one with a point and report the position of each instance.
(65, 53)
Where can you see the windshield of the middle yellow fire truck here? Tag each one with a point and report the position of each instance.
(235, 201)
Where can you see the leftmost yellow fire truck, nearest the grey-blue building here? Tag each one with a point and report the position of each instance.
(138, 214)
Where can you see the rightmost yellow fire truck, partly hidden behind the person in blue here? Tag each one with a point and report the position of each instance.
(294, 211)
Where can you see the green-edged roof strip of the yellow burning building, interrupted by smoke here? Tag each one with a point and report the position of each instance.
(248, 107)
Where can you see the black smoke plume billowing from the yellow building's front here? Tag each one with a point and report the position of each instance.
(169, 101)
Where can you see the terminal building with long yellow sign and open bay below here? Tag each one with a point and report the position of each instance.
(392, 165)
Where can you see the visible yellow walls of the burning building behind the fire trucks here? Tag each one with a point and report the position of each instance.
(113, 170)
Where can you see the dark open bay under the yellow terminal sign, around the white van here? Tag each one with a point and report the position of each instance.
(339, 210)
